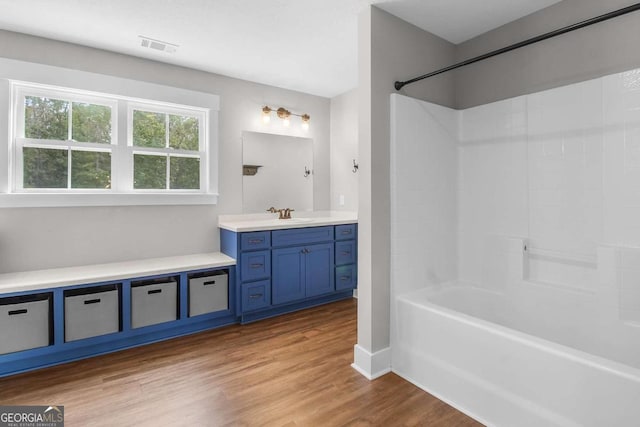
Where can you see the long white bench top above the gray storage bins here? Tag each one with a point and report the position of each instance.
(67, 276)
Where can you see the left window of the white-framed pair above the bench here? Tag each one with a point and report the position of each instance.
(63, 141)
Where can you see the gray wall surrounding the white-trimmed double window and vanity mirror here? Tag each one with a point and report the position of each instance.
(37, 238)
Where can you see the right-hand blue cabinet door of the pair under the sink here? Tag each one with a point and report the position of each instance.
(319, 275)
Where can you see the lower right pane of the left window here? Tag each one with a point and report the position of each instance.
(90, 169)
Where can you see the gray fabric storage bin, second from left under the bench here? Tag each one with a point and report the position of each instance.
(91, 312)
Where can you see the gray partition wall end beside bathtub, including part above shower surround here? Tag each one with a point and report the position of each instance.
(389, 49)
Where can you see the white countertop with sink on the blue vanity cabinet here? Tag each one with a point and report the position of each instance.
(269, 221)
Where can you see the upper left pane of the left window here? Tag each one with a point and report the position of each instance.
(46, 118)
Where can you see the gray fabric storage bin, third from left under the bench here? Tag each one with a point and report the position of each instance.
(153, 302)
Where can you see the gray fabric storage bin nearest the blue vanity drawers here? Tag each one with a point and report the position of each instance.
(208, 294)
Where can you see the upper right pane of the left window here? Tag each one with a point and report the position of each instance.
(91, 123)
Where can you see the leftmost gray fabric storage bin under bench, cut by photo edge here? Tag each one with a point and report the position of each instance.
(25, 322)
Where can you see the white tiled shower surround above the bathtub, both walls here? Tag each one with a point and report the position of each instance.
(559, 169)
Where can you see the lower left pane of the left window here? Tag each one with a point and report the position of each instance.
(44, 168)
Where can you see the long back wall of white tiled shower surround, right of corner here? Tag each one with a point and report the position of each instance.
(560, 168)
